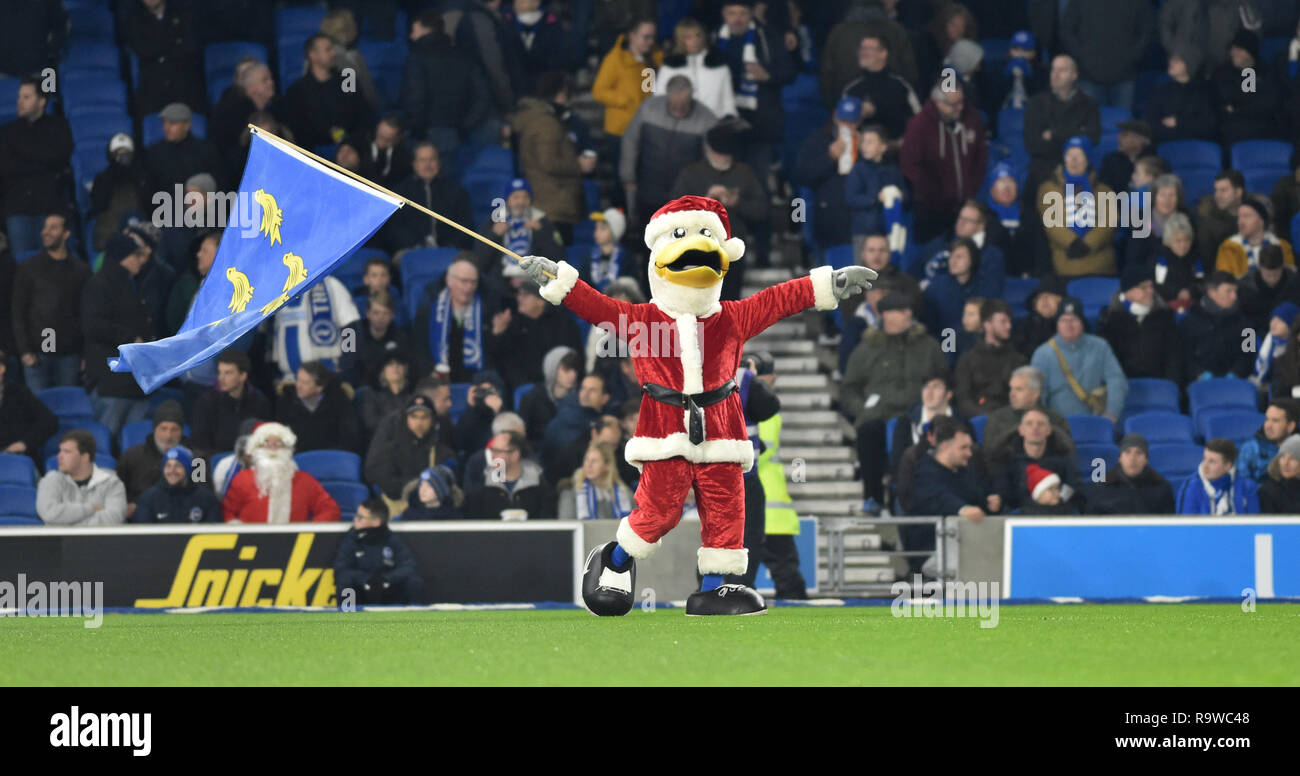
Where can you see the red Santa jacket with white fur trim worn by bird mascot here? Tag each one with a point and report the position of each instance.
(691, 356)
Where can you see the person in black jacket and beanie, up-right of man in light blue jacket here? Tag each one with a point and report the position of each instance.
(1141, 328)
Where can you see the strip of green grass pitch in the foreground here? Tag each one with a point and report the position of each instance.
(1032, 645)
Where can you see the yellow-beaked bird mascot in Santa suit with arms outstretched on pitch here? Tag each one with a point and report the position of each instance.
(691, 433)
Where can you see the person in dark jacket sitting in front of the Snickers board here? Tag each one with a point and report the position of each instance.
(374, 565)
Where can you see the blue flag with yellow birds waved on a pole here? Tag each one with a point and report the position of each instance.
(305, 220)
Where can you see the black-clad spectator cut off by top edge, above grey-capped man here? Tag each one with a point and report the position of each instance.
(171, 55)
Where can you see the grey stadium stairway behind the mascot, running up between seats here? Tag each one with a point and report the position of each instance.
(820, 461)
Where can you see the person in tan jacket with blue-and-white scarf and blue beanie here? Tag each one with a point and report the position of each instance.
(1080, 235)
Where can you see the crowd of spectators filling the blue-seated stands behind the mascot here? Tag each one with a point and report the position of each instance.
(924, 138)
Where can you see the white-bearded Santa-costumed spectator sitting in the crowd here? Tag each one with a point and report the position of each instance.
(274, 491)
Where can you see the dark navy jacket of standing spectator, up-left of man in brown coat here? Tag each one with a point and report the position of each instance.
(444, 86)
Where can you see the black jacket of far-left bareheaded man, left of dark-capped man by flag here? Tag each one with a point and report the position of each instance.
(47, 294)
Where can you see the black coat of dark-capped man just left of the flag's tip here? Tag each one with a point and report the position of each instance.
(112, 314)
